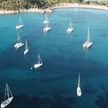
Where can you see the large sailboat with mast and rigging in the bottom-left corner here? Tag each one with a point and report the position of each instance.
(8, 97)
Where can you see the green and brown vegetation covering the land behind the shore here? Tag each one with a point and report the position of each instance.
(27, 4)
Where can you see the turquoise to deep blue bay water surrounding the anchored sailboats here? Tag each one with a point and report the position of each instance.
(54, 84)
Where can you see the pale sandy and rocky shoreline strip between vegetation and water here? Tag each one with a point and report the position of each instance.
(51, 9)
